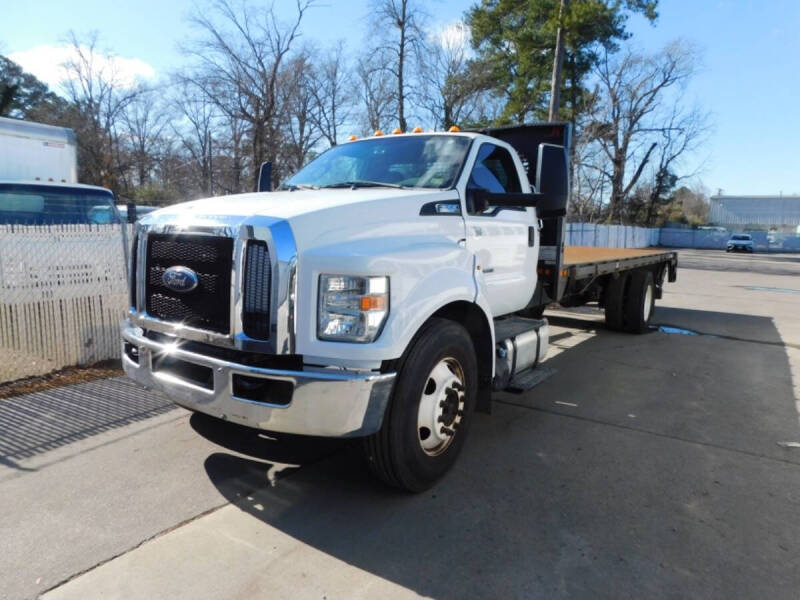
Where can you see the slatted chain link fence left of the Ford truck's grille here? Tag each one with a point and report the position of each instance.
(63, 293)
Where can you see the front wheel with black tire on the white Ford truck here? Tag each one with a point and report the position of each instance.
(431, 407)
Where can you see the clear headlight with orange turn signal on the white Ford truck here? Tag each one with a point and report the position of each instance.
(352, 309)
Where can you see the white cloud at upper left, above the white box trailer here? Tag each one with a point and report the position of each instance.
(47, 64)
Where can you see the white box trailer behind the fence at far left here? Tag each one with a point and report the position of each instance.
(37, 152)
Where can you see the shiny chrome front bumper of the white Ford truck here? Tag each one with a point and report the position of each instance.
(324, 403)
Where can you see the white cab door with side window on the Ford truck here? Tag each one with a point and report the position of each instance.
(503, 239)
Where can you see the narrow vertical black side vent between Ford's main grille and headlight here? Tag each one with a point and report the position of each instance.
(257, 279)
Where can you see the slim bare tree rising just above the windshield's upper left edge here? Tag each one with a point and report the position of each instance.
(331, 88)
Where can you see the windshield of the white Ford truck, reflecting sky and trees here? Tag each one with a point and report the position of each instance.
(418, 161)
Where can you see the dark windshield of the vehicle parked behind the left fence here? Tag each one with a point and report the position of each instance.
(30, 204)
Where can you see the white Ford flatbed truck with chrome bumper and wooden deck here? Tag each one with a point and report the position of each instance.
(383, 291)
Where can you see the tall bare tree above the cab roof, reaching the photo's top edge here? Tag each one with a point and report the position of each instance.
(403, 48)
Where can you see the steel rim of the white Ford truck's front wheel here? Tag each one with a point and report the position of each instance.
(441, 407)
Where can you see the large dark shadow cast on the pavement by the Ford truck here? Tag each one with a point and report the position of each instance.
(658, 473)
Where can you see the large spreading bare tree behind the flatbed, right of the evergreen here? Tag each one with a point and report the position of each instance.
(632, 91)
